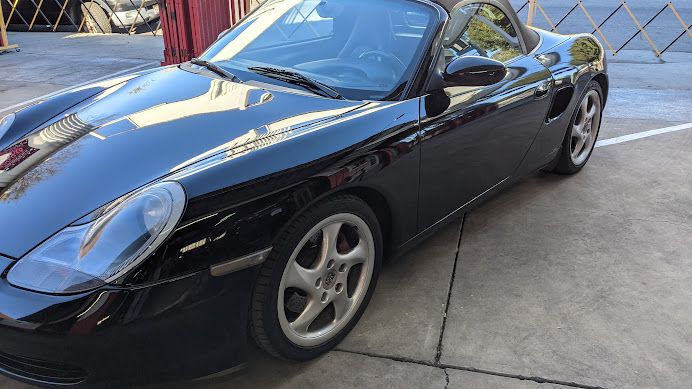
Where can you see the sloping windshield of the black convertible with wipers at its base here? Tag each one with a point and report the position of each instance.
(362, 49)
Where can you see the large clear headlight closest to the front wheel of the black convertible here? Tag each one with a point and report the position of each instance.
(85, 257)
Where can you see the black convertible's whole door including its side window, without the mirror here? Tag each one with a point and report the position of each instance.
(474, 138)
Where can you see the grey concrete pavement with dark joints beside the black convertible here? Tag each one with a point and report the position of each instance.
(583, 281)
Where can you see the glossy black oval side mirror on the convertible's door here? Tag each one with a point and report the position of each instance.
(475, 71)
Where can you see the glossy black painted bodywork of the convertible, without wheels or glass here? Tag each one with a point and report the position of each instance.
(250, 160)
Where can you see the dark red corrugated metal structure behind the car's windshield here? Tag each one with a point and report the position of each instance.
(190, 26)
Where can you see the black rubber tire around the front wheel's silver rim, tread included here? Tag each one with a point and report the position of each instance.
(264, 316)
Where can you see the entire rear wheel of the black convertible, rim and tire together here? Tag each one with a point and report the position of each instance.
(582, 132)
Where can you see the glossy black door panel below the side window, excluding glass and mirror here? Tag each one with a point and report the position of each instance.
(492, 128)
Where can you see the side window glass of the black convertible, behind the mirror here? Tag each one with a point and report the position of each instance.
(482, 30)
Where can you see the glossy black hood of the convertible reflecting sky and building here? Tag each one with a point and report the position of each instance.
(129, 135)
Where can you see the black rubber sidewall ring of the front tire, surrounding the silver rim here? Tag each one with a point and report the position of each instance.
(280, 256)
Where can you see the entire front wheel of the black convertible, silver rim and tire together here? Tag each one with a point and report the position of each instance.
(318, 280)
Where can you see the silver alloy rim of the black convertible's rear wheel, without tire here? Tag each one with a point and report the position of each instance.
(585, 127)
